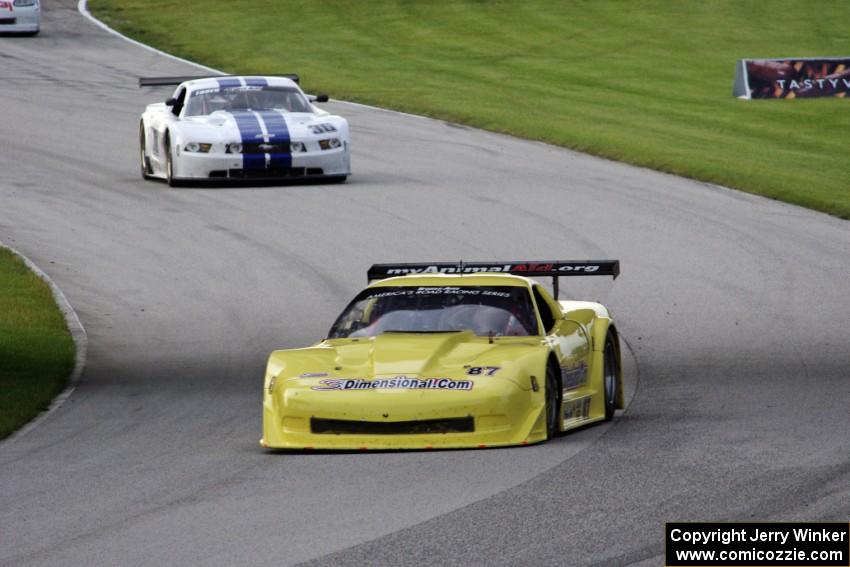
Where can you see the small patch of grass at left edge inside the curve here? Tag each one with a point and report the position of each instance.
(36, 349)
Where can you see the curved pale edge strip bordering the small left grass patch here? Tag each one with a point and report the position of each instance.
(78, 335)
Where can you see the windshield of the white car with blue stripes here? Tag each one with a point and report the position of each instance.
(206, 101)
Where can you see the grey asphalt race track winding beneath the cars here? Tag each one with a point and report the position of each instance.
(736, 309)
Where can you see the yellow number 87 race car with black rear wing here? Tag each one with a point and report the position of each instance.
(447, 356)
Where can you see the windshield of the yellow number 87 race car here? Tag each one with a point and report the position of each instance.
(485, 310)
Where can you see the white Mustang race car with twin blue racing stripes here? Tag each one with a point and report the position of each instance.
(241, 128)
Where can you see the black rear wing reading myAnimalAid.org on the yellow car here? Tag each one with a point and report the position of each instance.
(551, 268)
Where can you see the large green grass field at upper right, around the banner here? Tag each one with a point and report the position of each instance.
(646, 82)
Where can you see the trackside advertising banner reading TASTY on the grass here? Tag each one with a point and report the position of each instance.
(792, 78)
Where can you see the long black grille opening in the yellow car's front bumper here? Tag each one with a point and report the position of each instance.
(418, 427)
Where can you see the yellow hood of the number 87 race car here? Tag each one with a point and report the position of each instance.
(410, 354)
